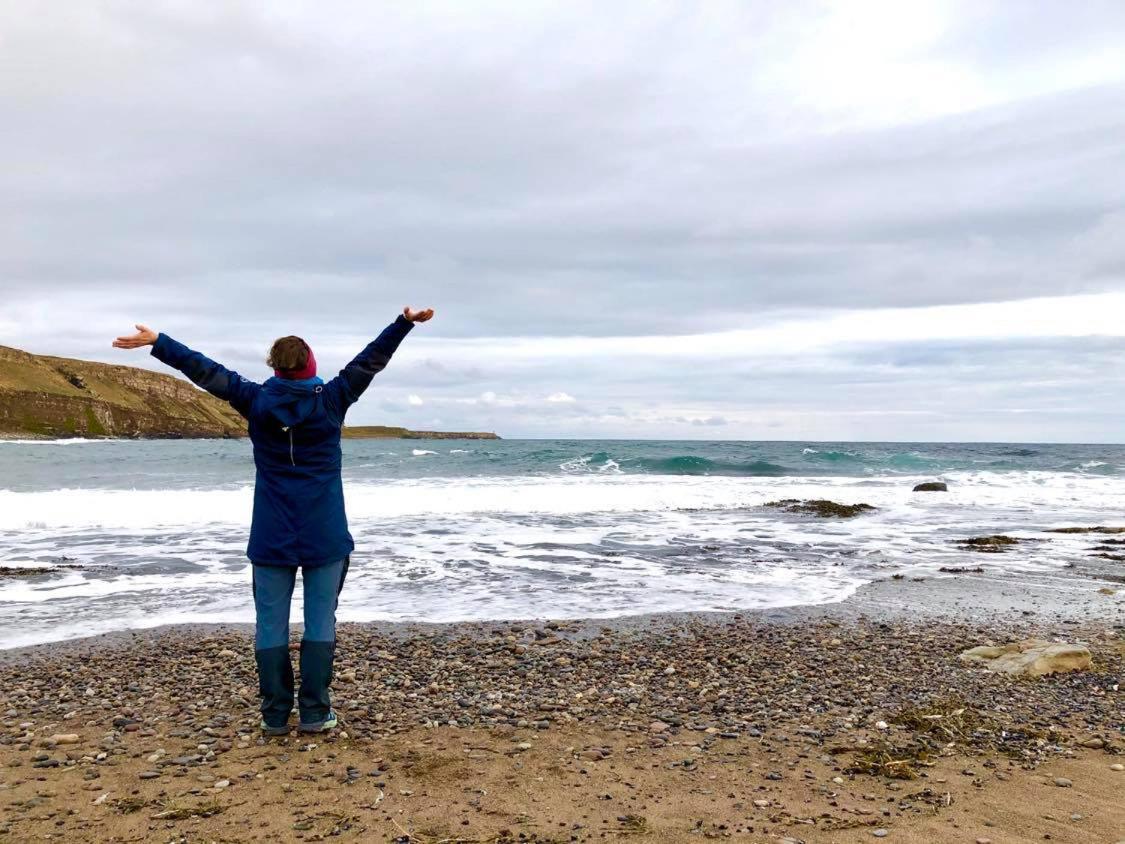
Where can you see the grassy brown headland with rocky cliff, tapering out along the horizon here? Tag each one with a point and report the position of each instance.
(43, 397)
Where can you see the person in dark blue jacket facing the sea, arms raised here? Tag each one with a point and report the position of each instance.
(295, 423)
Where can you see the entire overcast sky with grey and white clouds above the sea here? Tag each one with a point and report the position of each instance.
(717, 220)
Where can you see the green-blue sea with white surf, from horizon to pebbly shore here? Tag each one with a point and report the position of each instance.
(141, 534)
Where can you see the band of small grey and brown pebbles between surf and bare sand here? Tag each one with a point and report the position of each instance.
(732, 680)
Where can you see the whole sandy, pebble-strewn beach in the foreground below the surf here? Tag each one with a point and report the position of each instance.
(803, 725)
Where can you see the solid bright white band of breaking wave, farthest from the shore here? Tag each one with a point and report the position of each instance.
(587, 493)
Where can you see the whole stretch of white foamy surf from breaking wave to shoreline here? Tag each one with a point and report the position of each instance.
(589, 544)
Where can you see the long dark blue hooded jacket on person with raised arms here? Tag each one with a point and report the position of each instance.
(300, 518)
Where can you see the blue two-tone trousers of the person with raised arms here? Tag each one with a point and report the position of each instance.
(273, 597)
